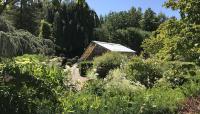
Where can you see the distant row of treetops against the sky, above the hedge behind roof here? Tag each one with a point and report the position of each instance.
(148, 20)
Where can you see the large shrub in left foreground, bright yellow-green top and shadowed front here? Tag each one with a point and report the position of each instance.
(31, 86)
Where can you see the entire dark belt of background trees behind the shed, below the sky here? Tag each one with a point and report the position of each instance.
(72, 25)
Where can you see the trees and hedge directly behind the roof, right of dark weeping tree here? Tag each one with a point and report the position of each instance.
(129, 28)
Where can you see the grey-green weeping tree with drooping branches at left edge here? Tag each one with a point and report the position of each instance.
(22, 42)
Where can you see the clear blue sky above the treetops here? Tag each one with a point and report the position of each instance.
(103, 7)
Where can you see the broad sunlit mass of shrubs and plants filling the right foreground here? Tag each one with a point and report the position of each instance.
(175, 82)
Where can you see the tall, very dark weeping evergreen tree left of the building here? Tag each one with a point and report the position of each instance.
(73, 25)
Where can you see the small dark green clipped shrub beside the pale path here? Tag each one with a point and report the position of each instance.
(84, 67)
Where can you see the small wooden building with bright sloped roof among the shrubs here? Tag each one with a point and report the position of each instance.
(97, 48)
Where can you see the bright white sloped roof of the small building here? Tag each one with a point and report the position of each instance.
(114, 47)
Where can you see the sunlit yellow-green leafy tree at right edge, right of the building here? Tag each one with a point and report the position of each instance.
(175, 40)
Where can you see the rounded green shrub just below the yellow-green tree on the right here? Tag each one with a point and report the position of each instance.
(147, 73)
